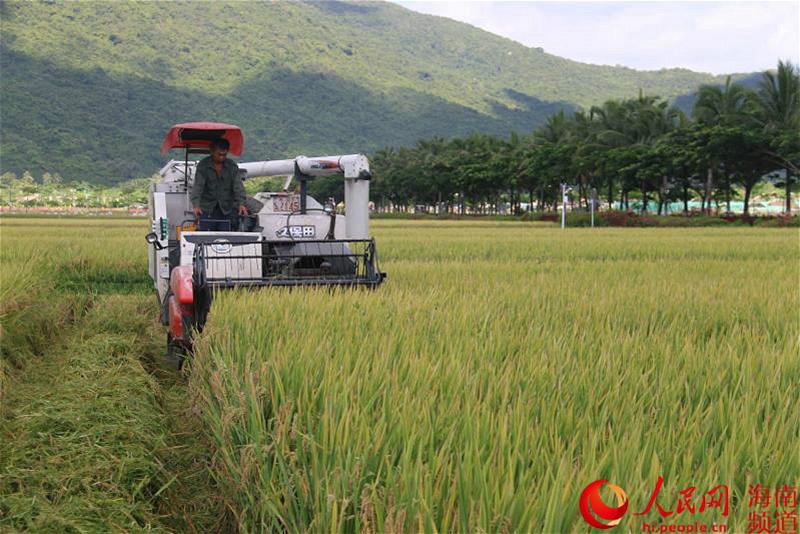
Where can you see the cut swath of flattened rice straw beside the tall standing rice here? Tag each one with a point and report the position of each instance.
(89, 446)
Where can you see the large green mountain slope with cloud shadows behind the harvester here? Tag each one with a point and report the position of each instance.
(88, 89)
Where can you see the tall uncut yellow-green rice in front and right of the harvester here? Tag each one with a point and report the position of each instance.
(500, 369)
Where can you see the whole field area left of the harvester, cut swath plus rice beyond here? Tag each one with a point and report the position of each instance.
(96, 435)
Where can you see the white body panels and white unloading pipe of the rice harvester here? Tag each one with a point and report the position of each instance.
(281, 218)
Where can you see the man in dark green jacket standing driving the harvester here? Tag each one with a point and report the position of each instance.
(218, 197)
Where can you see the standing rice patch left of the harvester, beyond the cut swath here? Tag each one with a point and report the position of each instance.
(51, 268)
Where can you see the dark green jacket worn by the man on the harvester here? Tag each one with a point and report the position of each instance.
(210, 190)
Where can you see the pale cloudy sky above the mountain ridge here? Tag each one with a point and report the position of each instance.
(715, 37)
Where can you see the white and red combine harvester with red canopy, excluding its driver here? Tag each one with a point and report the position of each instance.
(292, 240)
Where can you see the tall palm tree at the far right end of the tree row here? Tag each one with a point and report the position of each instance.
(779, 112)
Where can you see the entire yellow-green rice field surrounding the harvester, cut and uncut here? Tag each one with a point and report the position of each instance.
(500, 369)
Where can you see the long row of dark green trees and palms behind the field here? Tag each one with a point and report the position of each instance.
(636, 148)
